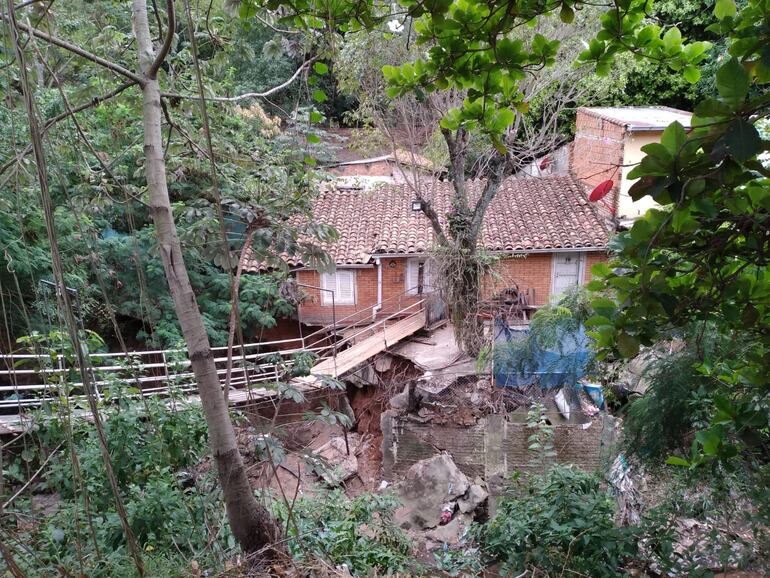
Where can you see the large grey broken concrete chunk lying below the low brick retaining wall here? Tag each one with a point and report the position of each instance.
(427, 486)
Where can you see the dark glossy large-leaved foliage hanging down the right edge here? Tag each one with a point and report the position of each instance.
(700, 260)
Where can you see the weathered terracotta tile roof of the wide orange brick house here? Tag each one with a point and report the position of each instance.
(548, 213)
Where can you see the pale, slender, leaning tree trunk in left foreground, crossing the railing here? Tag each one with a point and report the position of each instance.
(250, 522)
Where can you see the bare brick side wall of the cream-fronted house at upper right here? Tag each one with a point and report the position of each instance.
(598, 151)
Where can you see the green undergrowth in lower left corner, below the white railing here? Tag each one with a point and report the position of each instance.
(174, 510)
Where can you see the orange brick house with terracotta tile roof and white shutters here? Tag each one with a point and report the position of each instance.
(544, 229)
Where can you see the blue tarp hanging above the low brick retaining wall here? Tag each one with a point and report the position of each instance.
(518, 362)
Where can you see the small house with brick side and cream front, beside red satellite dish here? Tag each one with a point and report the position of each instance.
(608, 143)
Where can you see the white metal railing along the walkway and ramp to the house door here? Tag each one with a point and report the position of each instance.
(29, 379)
